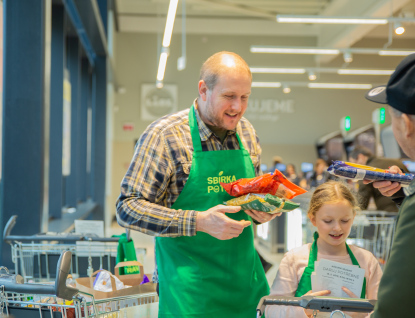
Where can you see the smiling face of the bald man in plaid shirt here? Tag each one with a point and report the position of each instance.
(227, 101)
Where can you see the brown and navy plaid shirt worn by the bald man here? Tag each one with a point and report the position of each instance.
(160, 168)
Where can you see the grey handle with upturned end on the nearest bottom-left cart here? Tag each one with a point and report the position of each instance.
(59, 288)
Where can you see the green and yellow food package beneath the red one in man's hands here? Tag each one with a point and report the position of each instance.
(263, 202)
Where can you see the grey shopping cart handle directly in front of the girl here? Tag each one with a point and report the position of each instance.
(318, 303)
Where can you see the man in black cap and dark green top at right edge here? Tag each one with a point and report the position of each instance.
(396, 286)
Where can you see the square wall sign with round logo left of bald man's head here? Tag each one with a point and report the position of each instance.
(157, 102)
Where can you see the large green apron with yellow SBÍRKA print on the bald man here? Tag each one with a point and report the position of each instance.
(201, 276)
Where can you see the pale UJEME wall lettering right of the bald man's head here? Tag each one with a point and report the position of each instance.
(268, 109)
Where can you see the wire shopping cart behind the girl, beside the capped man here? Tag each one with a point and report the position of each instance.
(373, 231)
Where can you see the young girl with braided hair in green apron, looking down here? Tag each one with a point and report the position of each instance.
(332, 210)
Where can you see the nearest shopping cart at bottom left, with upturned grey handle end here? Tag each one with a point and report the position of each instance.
(25, 300)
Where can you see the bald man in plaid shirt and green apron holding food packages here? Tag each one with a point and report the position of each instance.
(207, 265)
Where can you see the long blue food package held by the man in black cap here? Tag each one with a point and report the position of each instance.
(359, 172)
